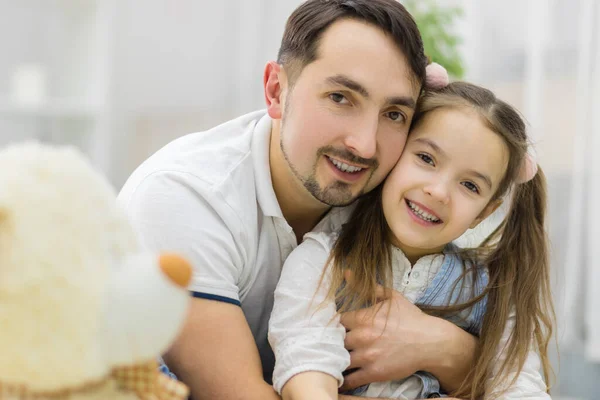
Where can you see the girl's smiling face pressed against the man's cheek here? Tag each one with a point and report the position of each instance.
(444, 182)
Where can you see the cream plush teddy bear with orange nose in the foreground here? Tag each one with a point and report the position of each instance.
(84, 310)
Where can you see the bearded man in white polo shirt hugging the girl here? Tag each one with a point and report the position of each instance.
(238, 198)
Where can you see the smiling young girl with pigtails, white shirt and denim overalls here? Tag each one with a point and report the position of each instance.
(467, 150)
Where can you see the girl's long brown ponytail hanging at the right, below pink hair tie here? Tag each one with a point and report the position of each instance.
(519, 288)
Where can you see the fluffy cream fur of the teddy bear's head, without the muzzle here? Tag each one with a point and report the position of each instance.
(61, 233)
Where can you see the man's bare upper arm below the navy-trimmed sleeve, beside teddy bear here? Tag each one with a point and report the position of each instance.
(216, 356)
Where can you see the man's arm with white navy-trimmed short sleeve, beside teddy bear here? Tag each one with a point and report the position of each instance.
(215, 353)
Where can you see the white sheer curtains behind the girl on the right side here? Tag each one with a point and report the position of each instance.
(543, 57)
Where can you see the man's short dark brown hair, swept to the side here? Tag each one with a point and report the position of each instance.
(307, 23)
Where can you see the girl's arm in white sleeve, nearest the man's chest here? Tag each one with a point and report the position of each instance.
(304, 330)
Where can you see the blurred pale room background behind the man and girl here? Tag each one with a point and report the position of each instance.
(120, 79)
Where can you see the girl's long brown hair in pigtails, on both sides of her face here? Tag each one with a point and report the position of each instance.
(516, 253)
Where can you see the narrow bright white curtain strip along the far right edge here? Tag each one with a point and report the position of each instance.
(585, 224)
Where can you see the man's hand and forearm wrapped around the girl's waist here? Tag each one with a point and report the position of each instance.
(394, 339)
